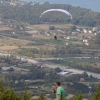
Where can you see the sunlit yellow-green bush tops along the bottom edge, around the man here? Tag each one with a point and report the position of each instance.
(8, 94)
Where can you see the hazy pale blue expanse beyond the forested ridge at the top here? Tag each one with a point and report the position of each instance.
(89, 4)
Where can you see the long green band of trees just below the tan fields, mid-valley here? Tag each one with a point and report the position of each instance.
(62, 50)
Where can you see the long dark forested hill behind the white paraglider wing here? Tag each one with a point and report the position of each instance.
(31, 13)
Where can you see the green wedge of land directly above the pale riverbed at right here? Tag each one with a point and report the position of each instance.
(88, 64)
